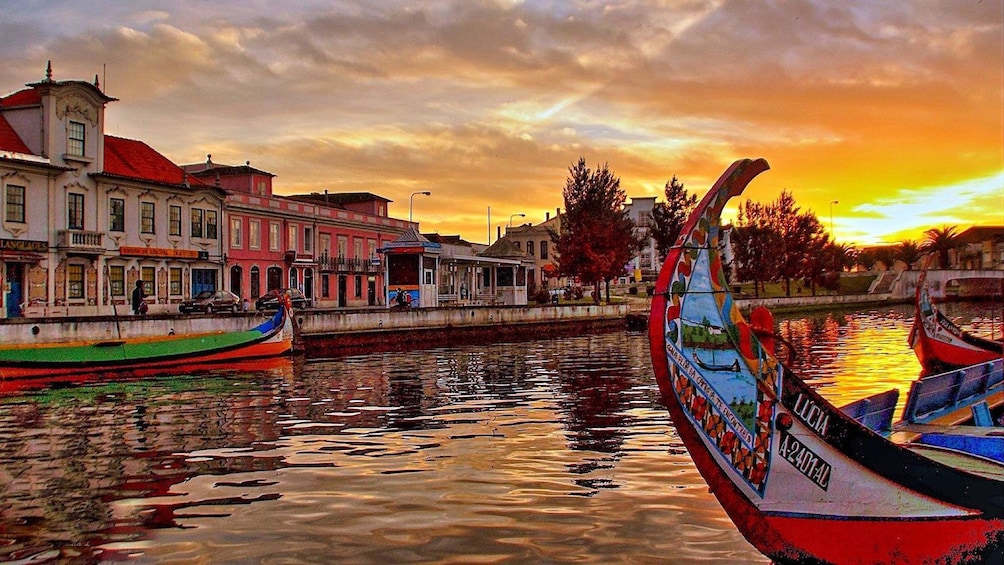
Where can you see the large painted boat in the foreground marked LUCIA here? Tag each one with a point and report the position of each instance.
(803, 480)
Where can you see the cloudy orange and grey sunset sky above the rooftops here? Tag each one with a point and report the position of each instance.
(893, 109)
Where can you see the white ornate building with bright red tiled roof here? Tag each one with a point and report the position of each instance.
(87, 214)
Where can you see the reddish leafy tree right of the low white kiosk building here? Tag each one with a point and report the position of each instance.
(598, 238)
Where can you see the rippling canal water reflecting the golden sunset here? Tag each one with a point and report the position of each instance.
(549, 450)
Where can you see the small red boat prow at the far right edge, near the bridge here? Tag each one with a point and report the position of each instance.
(942, 346)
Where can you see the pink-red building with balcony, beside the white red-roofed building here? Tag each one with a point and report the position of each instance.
(323, 244)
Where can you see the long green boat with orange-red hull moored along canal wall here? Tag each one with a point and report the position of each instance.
(271, 339)
